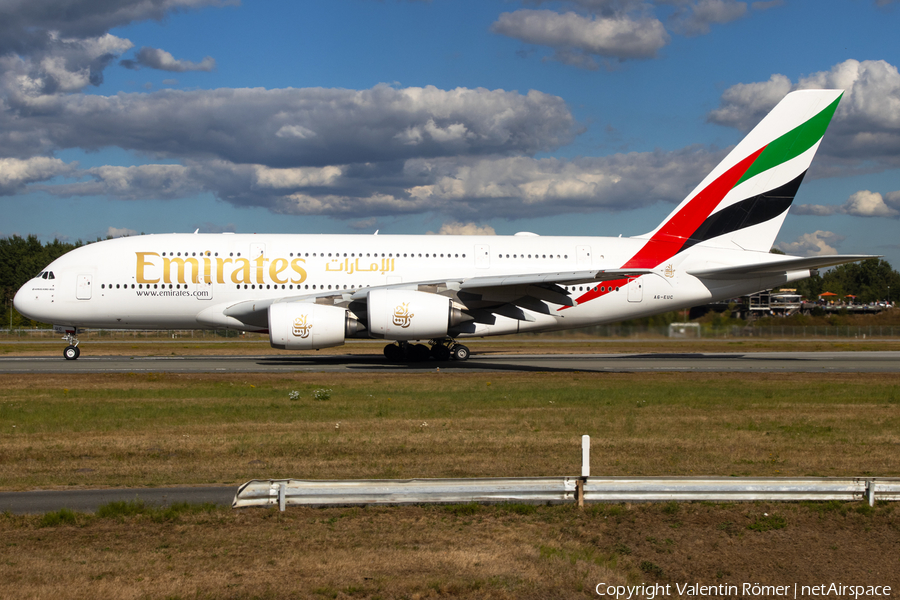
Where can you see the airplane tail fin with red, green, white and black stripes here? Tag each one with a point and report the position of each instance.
(744, 200)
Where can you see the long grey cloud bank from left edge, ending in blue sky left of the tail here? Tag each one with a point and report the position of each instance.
(243, 125)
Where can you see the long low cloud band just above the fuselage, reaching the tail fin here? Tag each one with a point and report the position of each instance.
(466, 188)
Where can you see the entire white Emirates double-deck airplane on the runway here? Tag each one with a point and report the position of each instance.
(316, 291)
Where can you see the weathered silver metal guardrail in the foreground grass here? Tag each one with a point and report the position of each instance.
(558, 490)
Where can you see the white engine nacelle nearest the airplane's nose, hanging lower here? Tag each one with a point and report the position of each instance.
(308, 326)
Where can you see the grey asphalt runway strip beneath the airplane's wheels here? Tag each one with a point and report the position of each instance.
(777, 362)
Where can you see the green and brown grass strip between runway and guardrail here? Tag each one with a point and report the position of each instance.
(137, 430)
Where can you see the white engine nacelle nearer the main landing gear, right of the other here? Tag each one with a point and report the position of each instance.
(410, 315)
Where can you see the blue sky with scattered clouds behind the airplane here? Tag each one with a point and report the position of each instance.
(588, 117)
